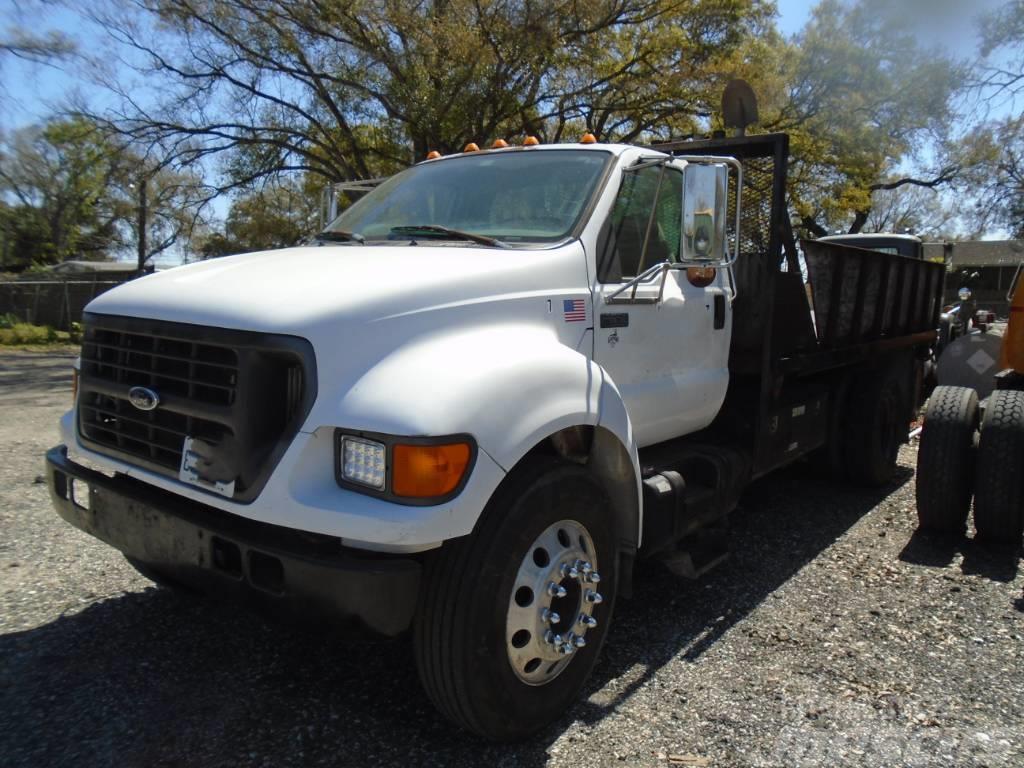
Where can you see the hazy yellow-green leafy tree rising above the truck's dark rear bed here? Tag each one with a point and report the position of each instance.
(860, 100)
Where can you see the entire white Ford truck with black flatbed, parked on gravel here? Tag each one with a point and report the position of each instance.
(491, 385)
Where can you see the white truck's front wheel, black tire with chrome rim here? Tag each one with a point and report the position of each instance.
(513, 617)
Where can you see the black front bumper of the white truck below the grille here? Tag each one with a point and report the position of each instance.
(304, 575)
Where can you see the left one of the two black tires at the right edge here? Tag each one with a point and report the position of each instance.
(946, 461)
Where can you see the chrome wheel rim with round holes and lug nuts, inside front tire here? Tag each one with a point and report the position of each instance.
(551, 608)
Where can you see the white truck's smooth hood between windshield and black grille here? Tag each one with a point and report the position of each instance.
(318, 290)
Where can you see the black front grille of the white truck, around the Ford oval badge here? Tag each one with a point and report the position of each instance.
(242, 395)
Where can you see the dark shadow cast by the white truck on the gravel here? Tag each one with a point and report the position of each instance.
(153, 678)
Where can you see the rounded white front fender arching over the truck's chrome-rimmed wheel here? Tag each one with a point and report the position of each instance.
(510, 388)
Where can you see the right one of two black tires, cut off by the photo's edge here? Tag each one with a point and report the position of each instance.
(999, 502)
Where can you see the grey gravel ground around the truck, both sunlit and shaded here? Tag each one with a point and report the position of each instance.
(832, 637)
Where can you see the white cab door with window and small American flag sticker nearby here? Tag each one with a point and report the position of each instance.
(667, 349)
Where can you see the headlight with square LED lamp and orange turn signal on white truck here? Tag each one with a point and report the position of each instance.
(407, 471)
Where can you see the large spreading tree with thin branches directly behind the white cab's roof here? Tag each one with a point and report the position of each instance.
(349, 90)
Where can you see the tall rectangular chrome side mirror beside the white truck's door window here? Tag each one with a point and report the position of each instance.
(706, 195)
